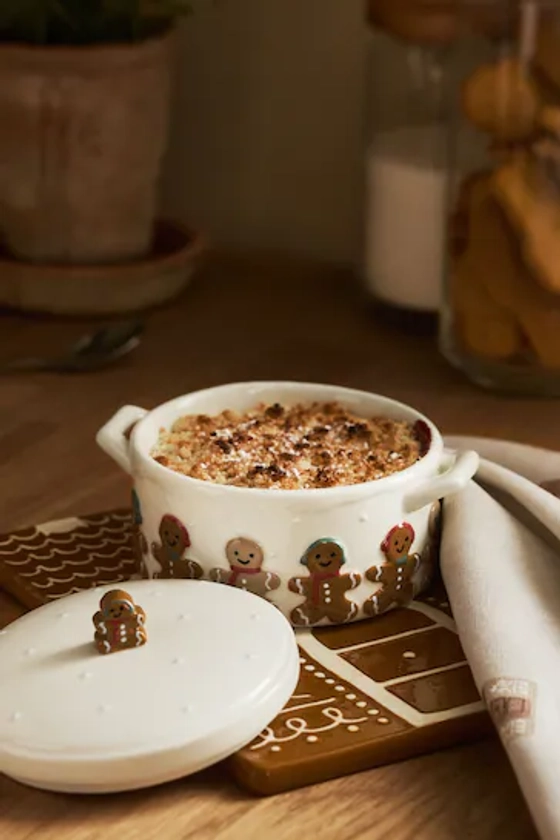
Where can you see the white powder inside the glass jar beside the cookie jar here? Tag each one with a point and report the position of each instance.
(405, 216)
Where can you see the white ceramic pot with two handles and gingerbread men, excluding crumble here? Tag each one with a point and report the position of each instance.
(323, 556)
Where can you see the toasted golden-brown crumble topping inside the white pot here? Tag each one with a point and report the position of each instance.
(297, 447)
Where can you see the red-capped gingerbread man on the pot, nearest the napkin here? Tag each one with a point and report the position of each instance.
(396, 575)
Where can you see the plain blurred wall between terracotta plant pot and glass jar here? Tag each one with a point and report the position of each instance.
(267, 128)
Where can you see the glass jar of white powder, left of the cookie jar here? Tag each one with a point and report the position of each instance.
(405, 157)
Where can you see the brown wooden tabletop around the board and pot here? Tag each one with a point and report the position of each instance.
(238, 321)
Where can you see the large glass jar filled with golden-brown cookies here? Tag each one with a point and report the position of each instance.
(500, 318)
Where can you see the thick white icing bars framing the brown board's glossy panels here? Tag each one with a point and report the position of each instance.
(377, 691)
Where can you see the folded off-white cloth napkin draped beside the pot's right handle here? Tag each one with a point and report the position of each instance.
(500, 560)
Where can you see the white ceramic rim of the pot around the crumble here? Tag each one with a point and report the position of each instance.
(302, 391)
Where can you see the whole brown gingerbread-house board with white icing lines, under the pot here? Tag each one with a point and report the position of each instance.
(373, 692)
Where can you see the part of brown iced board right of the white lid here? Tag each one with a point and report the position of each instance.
(369, 693)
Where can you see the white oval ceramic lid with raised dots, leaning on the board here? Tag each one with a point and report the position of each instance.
(218, 665)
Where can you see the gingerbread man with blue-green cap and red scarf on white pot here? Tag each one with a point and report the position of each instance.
(325, 588)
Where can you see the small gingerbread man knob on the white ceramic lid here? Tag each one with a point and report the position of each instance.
(119, 623)
